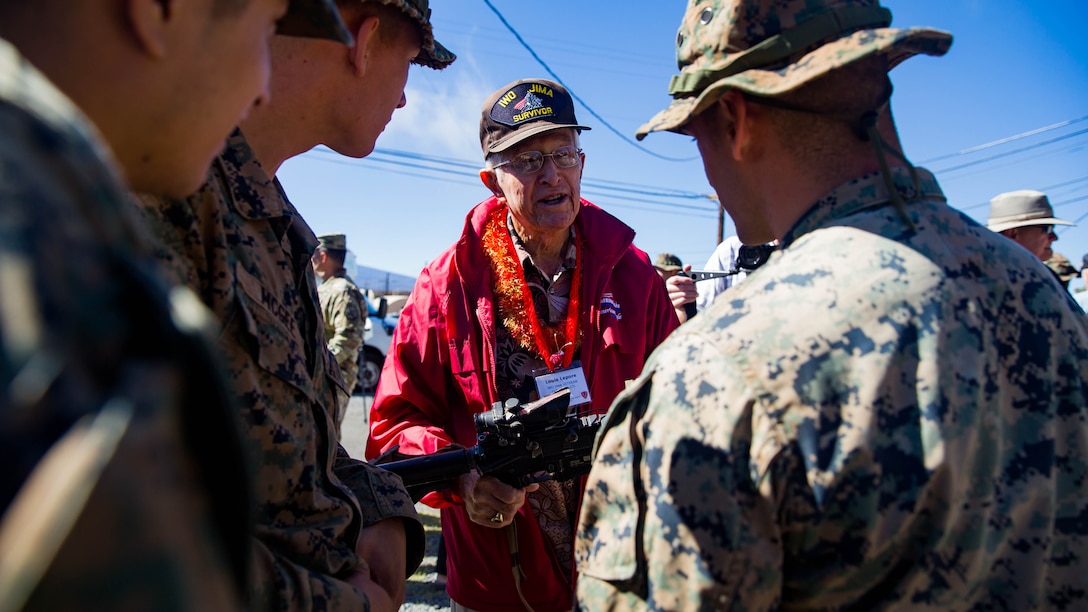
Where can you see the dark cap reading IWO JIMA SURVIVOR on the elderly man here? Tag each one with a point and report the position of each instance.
(525, 109)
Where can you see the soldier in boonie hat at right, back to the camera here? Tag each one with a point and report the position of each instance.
(892, 412)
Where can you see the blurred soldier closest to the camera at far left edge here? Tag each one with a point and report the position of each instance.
(125, 484)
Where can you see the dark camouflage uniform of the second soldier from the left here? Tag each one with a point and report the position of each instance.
(245, 250)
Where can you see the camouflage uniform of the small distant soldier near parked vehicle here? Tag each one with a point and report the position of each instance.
(345, 315)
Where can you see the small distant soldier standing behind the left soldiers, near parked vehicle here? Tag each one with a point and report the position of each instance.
(344, 311)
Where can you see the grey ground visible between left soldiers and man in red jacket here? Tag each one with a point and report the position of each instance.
(423, 594)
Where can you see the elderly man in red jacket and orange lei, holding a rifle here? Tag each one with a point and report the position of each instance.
(540, 283)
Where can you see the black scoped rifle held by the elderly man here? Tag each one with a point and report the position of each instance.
(517, 444)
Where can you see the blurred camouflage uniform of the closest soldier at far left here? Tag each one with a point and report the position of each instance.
(110, 499)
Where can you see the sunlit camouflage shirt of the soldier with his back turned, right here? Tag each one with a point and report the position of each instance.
(877, 419)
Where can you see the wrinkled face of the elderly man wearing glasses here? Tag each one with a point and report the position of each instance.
(548, 201)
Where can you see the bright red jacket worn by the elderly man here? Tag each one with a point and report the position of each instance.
(441, 371)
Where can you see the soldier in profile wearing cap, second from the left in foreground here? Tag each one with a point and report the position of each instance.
(332, 532)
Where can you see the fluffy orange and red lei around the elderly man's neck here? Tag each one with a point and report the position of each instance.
(513, 295)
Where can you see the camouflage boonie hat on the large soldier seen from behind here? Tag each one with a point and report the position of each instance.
(771, 47)
